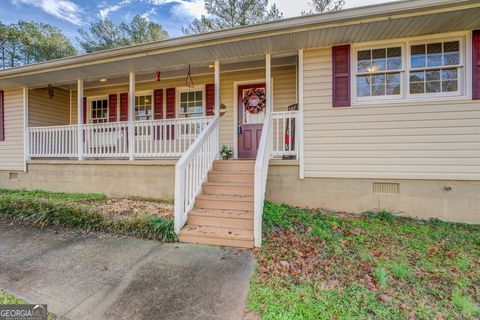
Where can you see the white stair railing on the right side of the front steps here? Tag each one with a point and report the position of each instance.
(261, 172)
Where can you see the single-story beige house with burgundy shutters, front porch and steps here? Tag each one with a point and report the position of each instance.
(372, 107)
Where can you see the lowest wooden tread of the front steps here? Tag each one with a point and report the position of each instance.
(216, 232)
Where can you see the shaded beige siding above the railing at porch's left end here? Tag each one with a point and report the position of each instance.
(46, 111)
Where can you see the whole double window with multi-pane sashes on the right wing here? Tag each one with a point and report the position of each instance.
(410, 70)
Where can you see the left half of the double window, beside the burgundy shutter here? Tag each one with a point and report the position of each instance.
(379, 72)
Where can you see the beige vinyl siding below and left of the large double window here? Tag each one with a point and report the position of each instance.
(421, 140)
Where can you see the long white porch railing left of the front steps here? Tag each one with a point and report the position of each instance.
(153, 138)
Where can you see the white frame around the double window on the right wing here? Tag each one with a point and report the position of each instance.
(464, 74)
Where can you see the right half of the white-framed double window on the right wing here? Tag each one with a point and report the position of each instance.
(434, 67)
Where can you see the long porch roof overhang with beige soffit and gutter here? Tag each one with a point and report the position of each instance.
(385, 21)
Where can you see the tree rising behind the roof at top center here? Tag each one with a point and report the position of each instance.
(223, 14)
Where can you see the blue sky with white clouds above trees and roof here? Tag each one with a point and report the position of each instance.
(70, 15)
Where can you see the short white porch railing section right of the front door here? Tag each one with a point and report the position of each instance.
(285, 137)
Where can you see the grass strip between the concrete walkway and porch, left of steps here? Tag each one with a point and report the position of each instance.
(41, 208)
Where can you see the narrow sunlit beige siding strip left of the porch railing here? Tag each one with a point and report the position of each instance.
(11, 149)
